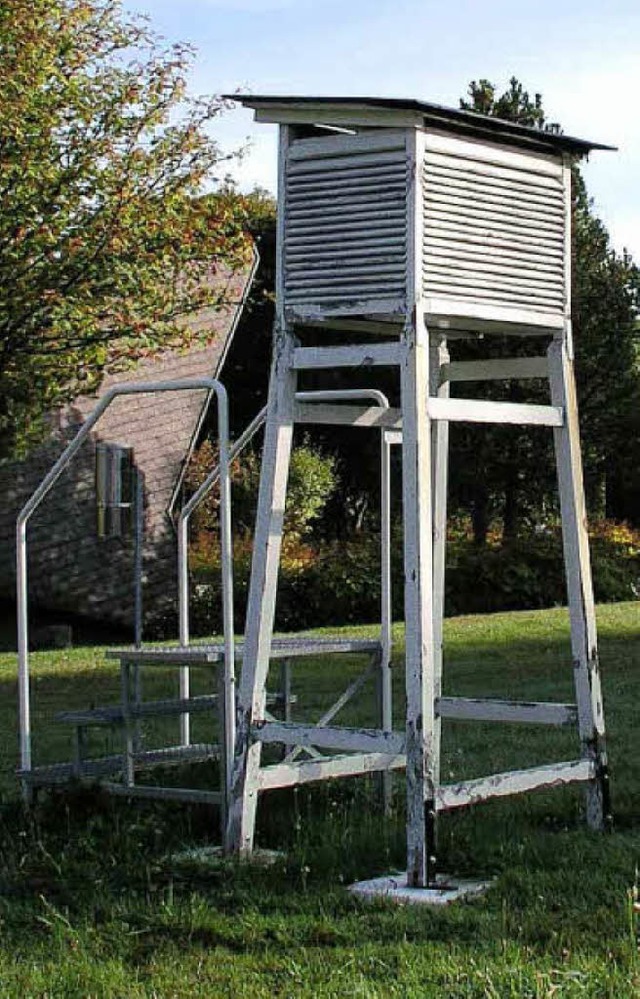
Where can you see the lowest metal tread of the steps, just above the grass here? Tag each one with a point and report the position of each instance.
(60, 773)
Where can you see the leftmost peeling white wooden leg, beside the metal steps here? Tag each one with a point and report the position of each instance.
(262, 592)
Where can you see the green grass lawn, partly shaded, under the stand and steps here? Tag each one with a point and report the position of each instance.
(98, 899)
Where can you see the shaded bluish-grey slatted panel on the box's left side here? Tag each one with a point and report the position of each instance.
(346, 223)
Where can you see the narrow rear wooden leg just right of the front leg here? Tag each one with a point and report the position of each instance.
(440, 466)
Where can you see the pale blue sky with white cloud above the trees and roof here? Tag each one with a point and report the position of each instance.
(583, 56)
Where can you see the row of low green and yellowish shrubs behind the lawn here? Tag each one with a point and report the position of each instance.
(339, 582)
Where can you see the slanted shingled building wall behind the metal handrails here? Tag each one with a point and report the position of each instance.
(71, 570)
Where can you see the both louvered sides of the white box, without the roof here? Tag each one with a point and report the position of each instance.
(486, 226)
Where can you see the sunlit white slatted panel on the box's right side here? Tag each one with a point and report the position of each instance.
(494, 229)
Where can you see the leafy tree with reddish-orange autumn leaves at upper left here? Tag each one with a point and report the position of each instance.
(105, 240)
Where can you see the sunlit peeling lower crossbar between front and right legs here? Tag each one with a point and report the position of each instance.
(515, 782)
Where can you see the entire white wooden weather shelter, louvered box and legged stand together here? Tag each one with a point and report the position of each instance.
(410, 237)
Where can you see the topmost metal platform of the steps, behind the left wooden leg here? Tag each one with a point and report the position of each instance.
(281, 648)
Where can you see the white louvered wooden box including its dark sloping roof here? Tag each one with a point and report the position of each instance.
(467, 217)
